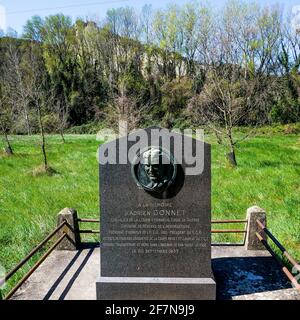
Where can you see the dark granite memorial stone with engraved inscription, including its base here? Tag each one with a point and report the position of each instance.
(156, 245)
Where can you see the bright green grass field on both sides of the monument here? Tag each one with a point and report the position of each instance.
(268, 175)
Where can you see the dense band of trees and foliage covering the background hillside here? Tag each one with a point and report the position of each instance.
(88, 66)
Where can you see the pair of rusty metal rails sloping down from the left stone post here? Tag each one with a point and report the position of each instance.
(10, 274)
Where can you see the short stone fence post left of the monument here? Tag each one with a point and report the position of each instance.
(72, 242)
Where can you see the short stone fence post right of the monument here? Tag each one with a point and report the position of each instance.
(252, 242)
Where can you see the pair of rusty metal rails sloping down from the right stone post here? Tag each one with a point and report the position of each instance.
(284, 252)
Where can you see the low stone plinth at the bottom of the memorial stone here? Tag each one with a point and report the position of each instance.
(121, 288)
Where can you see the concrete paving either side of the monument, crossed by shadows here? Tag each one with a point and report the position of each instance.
(240, 275)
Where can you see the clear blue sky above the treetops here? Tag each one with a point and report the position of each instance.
(19, 11)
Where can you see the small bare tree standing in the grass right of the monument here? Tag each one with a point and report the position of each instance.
(223, 105)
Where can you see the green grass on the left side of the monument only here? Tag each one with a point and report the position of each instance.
(29, 204)
